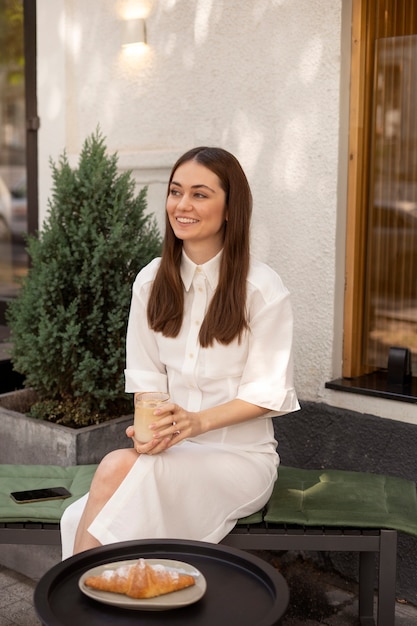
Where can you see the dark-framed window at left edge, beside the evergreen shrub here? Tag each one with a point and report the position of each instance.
(18, 147)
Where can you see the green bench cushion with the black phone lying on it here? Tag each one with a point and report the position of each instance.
(76, 479)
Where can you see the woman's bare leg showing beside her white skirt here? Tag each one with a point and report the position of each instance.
(109, 475)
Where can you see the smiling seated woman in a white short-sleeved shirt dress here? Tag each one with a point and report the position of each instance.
(212, 326)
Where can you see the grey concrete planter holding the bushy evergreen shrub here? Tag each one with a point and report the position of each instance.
(29, 441)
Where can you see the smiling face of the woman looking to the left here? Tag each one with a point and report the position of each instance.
(196, 207)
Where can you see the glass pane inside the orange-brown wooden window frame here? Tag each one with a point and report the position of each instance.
(391, 281)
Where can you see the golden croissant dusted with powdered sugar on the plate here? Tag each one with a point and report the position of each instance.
(140, 580)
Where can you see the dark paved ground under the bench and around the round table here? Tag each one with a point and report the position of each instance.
(317, 598)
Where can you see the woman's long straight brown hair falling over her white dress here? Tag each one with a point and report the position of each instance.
(226, 318)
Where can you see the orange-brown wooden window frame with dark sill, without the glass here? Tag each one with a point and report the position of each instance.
(370, 20)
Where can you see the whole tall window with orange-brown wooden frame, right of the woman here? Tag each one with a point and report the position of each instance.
(381, 258)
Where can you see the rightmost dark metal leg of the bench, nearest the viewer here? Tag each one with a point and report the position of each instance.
(387, 578)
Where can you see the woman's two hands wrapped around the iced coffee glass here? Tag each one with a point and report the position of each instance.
(172, 425)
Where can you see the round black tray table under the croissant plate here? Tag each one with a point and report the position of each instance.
(241, 588)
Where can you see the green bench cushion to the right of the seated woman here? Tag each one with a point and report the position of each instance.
(343, 499)
